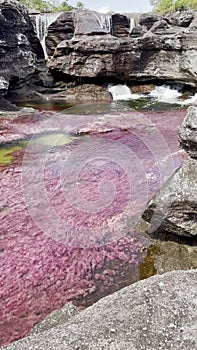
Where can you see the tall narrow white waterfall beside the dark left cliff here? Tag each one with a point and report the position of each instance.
(42, 22)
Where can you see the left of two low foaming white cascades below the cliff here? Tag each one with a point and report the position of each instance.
(122, 92)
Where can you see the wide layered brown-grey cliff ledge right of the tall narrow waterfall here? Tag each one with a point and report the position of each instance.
(144, 47)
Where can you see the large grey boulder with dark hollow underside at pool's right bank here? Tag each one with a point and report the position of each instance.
(174, 207)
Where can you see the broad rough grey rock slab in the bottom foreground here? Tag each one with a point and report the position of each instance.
(157, 313)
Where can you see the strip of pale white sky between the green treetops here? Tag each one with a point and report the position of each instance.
(120, 6)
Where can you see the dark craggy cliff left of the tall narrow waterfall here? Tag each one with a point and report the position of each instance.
(19, 48)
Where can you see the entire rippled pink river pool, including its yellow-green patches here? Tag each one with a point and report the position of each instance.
(73, 187)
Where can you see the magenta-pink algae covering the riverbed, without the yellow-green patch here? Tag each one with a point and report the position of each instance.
(40, 271)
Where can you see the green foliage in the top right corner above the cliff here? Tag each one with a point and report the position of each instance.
(164, 6)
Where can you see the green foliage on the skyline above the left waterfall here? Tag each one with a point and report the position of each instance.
(50, 5)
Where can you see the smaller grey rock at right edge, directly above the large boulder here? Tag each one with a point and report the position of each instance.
(188, 132)
